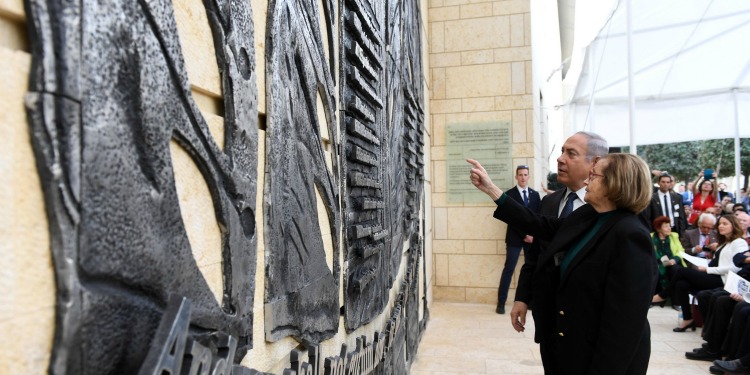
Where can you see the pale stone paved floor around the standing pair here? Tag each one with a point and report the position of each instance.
(468, 339)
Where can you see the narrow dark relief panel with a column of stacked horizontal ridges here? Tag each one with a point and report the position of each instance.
(365, 161)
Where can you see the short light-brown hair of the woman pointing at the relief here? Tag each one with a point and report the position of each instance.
(627, 181)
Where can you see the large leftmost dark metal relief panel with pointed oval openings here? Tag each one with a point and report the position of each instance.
(108, 92)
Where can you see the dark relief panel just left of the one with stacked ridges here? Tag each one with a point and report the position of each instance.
(301, 289)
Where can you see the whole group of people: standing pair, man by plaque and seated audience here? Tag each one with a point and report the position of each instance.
(608, 245)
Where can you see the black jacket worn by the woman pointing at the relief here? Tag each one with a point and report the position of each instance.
(596, 314)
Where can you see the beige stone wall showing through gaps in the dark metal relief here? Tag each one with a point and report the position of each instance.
(27, 280)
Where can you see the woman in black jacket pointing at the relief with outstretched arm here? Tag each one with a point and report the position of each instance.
(593, 285)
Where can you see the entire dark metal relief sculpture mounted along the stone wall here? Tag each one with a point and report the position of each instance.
(341, 172)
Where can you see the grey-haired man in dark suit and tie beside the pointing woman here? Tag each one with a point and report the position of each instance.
(579, 153)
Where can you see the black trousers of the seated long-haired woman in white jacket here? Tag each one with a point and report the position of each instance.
(685, 281)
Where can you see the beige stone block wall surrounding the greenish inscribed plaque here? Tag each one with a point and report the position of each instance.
(480, 70)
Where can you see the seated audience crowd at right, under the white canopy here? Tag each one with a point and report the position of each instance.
(703, 220)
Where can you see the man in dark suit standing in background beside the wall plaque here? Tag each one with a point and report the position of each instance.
(515, 238)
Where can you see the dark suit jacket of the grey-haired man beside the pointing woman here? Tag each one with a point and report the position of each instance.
(549, 206)
